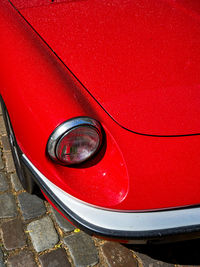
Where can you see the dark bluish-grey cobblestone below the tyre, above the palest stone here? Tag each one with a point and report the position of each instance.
(31, 206)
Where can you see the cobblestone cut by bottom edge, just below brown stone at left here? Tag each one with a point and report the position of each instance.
(23, 259)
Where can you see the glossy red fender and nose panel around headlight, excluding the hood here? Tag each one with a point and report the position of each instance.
(132, 172)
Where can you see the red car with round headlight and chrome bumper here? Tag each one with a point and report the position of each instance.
(102, 107)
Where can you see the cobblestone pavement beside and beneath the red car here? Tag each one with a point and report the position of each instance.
(33, 234)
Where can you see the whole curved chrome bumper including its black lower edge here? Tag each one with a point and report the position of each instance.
(118, 224)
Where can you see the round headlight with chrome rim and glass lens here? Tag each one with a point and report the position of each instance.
(75, 141)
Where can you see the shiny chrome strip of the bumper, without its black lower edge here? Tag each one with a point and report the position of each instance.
(122, 221)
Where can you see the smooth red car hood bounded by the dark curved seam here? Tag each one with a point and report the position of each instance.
(139, 59)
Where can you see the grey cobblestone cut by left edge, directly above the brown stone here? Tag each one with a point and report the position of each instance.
(8, 207)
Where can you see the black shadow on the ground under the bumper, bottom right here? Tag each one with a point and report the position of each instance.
(182, 253)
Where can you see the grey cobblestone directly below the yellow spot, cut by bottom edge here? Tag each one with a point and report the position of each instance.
(82, 249)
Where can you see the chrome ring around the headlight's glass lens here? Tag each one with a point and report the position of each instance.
(64, 128)
